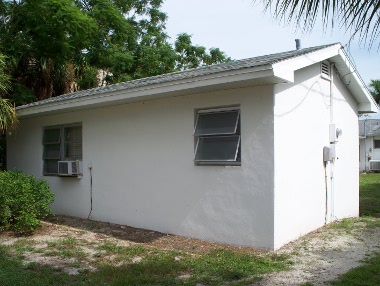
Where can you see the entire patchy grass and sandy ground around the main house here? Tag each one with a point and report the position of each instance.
(72, 251)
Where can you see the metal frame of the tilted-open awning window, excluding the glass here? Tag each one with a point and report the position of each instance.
(236, 161)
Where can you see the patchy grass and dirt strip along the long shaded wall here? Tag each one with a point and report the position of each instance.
(73, 251)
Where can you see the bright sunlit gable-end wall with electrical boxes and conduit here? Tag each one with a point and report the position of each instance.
(302, 117)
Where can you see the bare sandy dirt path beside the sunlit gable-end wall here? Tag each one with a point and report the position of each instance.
(325, 254)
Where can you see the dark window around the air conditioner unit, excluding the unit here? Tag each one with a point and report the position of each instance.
(61, 143)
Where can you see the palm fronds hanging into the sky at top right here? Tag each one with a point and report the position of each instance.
(362, 17)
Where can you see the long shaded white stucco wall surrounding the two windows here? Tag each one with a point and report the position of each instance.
(143, 172)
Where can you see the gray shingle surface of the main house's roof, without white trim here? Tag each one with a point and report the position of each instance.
(205, 70)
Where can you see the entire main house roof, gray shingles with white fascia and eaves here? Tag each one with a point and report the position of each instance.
(269, 69)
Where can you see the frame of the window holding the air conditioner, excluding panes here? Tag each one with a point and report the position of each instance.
(62, 146)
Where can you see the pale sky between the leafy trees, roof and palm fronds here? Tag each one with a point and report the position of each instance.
(242, 30)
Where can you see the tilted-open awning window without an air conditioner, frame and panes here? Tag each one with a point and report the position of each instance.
(217, 137)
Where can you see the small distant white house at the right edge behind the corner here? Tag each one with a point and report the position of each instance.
(369, 151)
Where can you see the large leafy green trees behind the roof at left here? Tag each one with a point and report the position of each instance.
(59, 46)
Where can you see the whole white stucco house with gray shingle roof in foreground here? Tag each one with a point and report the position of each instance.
(253, 152)
